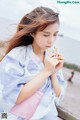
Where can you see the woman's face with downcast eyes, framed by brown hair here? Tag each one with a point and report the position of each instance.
(46, 38)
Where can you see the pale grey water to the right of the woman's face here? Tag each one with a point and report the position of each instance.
(70, 48)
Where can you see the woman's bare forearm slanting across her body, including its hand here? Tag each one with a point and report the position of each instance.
(37, 82)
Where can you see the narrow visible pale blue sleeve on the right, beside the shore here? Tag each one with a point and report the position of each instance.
(63, 84)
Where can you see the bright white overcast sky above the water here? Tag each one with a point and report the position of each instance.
(69, 13)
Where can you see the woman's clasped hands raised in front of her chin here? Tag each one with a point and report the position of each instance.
(53, 63)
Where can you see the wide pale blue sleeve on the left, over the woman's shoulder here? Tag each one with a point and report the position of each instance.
(12, 76)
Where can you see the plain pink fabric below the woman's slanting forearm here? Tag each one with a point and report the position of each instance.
(27, 108)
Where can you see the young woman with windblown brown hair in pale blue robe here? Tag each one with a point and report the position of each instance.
(27, 67)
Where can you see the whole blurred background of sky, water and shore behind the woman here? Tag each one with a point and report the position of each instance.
(68, 41)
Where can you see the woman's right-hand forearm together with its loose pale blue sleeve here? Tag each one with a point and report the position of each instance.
(59, 90)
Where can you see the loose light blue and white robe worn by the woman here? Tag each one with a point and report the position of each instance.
(18, 67)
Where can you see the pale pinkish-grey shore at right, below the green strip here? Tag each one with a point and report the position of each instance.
(71, 101)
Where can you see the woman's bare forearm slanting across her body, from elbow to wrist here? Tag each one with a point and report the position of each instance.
(32, 86)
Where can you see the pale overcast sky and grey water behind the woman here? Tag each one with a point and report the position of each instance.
(68, 43)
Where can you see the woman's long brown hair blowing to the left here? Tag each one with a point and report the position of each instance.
(36, 20)
